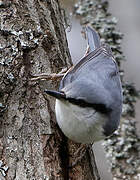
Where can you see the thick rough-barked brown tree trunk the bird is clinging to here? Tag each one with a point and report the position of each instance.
(33, 41)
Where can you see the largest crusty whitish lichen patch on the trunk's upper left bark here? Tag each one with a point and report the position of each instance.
(19, 40)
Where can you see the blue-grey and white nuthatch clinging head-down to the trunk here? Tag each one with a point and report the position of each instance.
(89, 100)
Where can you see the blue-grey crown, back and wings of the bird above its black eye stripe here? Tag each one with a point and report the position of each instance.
(95, 82)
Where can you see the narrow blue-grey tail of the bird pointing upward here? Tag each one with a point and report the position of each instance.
(93, 38)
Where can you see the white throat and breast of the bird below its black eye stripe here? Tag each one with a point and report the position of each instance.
(83, 125)
